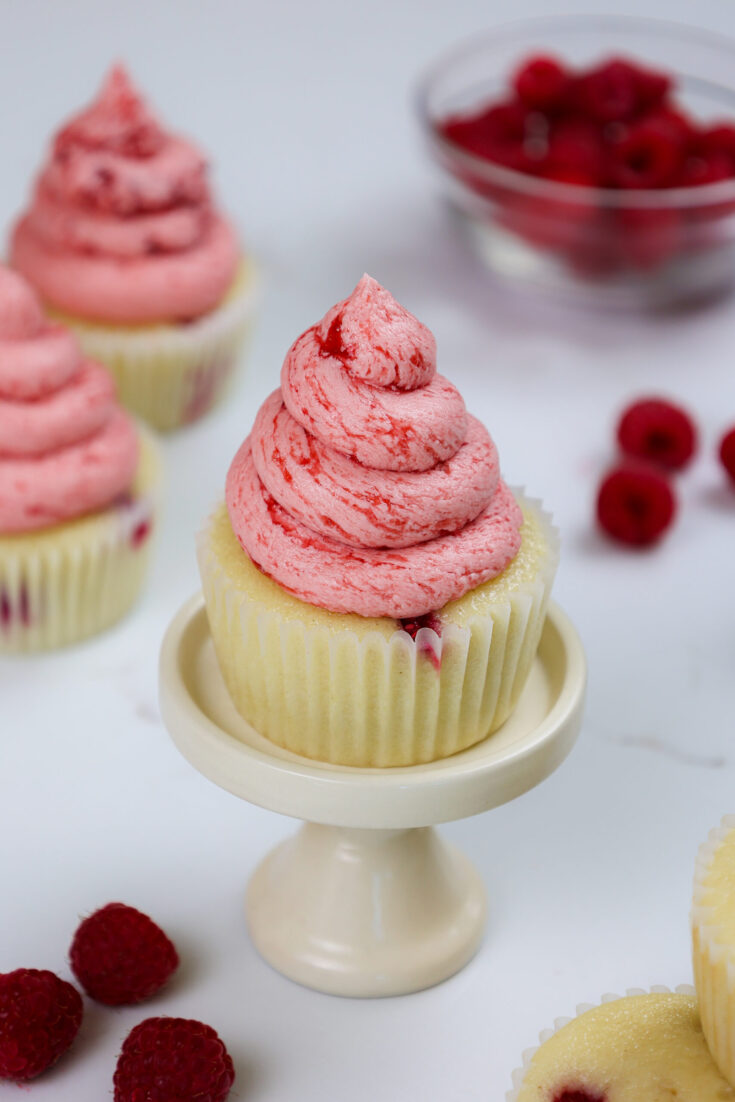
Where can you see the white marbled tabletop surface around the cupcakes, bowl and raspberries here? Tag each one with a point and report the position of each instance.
(306, 110)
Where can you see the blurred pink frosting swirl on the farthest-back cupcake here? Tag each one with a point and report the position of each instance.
(122, 226)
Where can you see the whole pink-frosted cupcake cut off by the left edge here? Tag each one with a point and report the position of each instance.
(78, 485)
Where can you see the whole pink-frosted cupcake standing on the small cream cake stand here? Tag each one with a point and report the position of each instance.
(375, 591)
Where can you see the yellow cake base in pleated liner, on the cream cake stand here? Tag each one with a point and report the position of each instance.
(362, 693)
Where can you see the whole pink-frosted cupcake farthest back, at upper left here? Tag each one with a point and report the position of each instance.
(125, 246)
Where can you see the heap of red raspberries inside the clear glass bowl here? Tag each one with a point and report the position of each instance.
(614, 126)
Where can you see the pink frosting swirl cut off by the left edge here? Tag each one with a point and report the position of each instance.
(67, 449)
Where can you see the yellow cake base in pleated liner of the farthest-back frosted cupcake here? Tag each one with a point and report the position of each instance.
(172, 375)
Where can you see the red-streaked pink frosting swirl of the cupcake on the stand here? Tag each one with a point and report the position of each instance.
(365, 487)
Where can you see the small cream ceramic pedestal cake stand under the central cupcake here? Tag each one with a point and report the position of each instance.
(366, 899)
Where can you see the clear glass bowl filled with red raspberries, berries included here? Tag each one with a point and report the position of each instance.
(592, 158)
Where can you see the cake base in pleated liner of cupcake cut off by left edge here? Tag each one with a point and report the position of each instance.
(62, 585)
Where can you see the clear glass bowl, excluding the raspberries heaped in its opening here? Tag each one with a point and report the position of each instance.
(600, 246)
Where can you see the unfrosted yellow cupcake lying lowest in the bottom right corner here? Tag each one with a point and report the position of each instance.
(647, 1047)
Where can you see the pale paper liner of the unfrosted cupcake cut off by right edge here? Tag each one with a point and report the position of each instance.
(715, 960)
